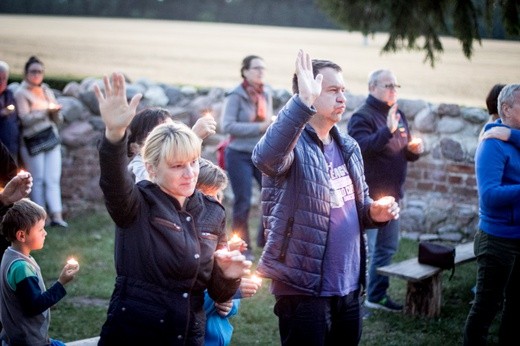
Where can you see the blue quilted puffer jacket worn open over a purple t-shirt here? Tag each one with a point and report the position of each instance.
(296, 198)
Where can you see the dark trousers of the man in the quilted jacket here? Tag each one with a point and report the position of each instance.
(319, 321)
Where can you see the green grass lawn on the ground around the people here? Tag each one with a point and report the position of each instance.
(82, 312)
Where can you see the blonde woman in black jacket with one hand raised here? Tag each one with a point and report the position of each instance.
(167, 233)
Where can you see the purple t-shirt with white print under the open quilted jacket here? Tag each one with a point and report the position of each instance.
(342, 259)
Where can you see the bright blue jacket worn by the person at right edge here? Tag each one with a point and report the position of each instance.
(497, 166)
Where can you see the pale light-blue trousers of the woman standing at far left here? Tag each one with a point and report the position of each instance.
(45, 169)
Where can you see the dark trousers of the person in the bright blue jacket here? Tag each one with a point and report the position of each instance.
(498, 287)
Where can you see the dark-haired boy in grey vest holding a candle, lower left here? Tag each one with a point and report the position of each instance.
(24, 303)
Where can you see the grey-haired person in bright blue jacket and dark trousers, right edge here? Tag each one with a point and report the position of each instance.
(497, 242)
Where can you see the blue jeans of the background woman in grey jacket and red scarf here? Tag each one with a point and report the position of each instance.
(241, 172)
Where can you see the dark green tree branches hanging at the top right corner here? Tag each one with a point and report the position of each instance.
(417, 24)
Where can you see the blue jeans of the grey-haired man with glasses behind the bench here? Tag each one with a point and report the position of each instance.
(382, 245)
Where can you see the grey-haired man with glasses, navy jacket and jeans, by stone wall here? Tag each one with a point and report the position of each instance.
(383, 135)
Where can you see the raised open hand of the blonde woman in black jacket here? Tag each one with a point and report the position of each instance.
(115, 110)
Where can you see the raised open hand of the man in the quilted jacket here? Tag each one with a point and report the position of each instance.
(309, 87)
